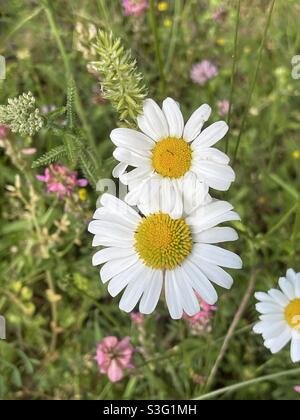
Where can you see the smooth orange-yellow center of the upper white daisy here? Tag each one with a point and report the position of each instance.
(172, 157)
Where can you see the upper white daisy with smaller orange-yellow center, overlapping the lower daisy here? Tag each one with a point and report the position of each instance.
(171, 156)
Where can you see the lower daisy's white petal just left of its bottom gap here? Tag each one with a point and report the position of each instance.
(152, 293)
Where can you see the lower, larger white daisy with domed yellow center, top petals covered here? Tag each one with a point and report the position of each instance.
(142, 254)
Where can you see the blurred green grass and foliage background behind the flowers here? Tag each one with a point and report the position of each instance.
(55, 306)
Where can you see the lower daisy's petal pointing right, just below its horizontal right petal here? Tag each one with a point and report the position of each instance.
(219, 256)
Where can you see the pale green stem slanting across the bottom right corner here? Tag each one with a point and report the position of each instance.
(231, 388)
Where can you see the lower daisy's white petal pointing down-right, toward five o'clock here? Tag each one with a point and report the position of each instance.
(199, 282)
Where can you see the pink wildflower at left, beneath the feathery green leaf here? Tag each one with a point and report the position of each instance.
(61, 180)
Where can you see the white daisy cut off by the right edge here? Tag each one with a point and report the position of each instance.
(280, 320)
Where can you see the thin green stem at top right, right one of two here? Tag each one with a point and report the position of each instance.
(254, 79)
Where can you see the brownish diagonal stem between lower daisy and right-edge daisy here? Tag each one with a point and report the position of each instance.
(232, 329)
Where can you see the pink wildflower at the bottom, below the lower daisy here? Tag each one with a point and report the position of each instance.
(114, 356)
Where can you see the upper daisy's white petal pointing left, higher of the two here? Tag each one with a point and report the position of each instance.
(131, 139)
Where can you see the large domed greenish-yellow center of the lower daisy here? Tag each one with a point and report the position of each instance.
(162, 242)
